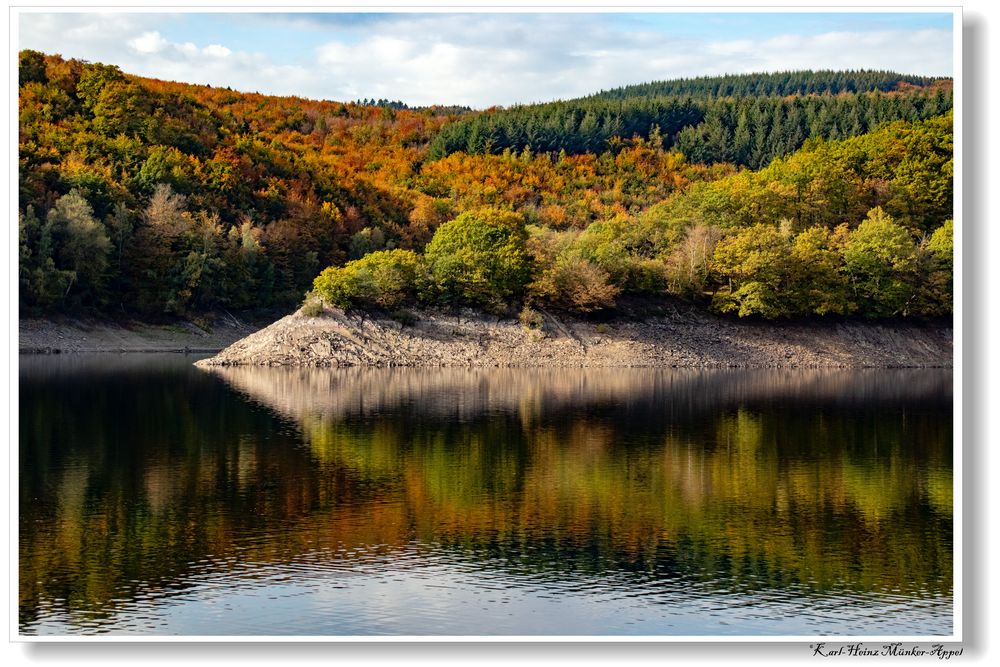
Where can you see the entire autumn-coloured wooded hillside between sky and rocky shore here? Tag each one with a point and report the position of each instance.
(151, 197)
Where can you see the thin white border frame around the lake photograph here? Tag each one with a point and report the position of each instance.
(557, 6)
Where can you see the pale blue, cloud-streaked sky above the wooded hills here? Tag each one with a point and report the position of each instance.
(482, 59)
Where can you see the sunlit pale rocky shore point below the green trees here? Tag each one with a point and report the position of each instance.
(682, 339)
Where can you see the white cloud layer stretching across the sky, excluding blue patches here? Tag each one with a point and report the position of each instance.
(474, 59)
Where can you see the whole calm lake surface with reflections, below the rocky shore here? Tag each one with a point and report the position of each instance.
(156, 498)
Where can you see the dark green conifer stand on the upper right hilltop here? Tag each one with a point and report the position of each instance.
(709, 120)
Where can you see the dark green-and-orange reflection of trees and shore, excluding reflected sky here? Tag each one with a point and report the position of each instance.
(136, 472)
